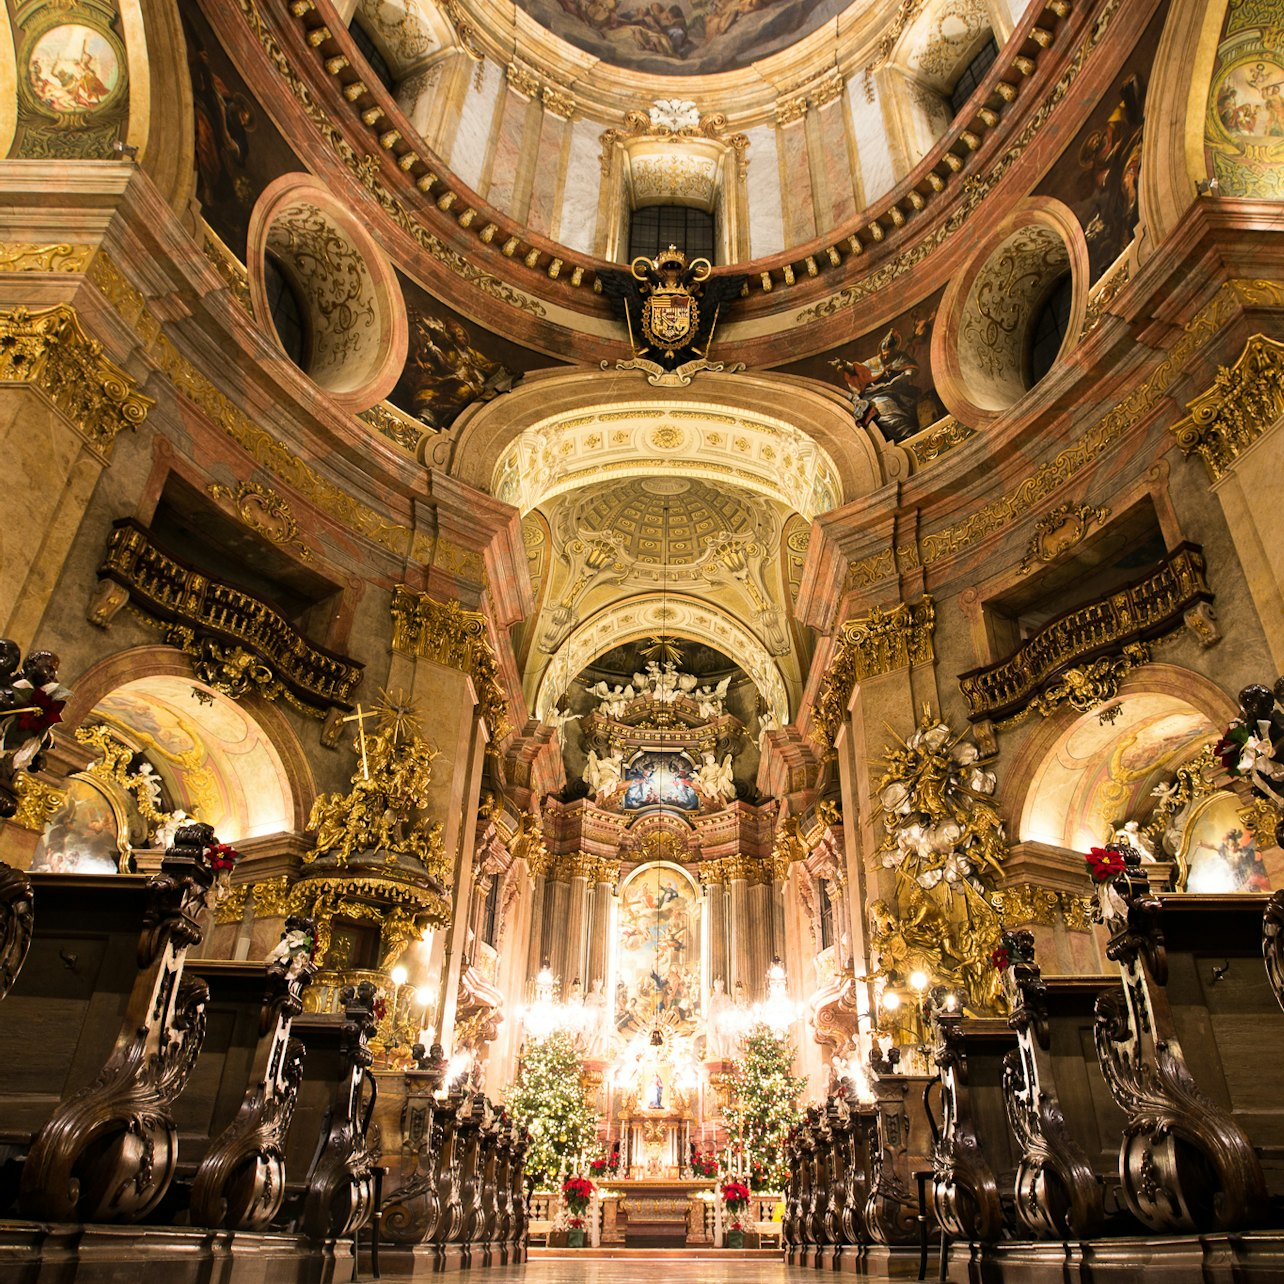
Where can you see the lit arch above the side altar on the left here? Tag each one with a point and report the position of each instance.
(247, 771)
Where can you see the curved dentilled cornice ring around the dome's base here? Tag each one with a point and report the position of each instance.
(441, 224)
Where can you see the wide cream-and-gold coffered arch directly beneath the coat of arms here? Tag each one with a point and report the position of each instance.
(558, 431)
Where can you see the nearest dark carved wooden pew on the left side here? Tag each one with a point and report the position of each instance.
(107, 1143)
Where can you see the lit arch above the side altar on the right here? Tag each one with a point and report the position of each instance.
(1079, 774)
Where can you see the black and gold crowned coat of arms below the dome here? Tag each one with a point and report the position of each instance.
(671, 308)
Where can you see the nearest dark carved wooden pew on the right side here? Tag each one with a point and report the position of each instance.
(1183, 1050)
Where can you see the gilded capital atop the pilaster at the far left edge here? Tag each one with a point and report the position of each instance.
(49, 350)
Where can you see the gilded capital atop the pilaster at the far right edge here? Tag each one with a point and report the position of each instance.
(1245, 401)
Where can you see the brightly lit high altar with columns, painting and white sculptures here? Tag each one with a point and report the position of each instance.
(668, 911)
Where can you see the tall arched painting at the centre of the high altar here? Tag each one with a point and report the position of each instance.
(658, 953)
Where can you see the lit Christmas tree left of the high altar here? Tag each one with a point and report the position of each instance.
(551, 1101)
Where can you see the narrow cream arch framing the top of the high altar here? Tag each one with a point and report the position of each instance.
(644, 617)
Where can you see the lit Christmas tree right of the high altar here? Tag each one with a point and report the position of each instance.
(765, 1106)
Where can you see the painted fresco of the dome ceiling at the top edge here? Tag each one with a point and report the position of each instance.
(682, 38)
